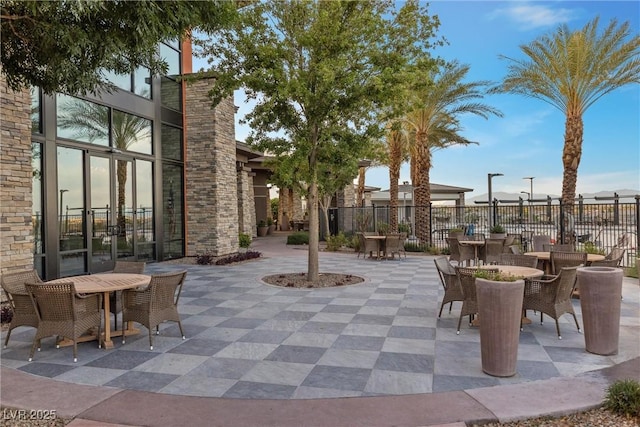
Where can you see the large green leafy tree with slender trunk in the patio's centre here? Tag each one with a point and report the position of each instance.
(318, 69)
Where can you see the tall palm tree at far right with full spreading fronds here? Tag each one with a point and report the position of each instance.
(571, 70)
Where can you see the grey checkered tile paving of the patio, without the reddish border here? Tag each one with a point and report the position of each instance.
(247, 339)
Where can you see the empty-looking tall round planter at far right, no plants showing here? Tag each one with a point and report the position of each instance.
(600, 295)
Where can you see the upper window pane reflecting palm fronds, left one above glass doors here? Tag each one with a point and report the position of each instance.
(82, 120)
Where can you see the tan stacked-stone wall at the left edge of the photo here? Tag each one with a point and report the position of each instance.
(16, 247)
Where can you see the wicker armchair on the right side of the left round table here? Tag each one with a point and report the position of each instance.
(154, 303)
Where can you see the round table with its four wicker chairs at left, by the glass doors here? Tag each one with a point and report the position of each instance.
(78, 309)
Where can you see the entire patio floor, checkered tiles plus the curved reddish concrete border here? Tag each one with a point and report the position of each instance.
(367, 355)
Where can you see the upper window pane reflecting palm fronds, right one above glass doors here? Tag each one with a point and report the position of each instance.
(131, 133)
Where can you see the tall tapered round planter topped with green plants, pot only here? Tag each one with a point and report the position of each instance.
(500, 313)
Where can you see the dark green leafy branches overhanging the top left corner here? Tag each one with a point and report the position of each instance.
(67, 46)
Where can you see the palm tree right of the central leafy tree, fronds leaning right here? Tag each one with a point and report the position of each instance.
(433, 122)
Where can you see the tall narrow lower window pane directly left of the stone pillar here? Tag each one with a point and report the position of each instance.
(172, 216)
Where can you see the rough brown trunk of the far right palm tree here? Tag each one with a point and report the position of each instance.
(571, 155)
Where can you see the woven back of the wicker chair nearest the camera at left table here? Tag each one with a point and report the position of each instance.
(53, 302)
